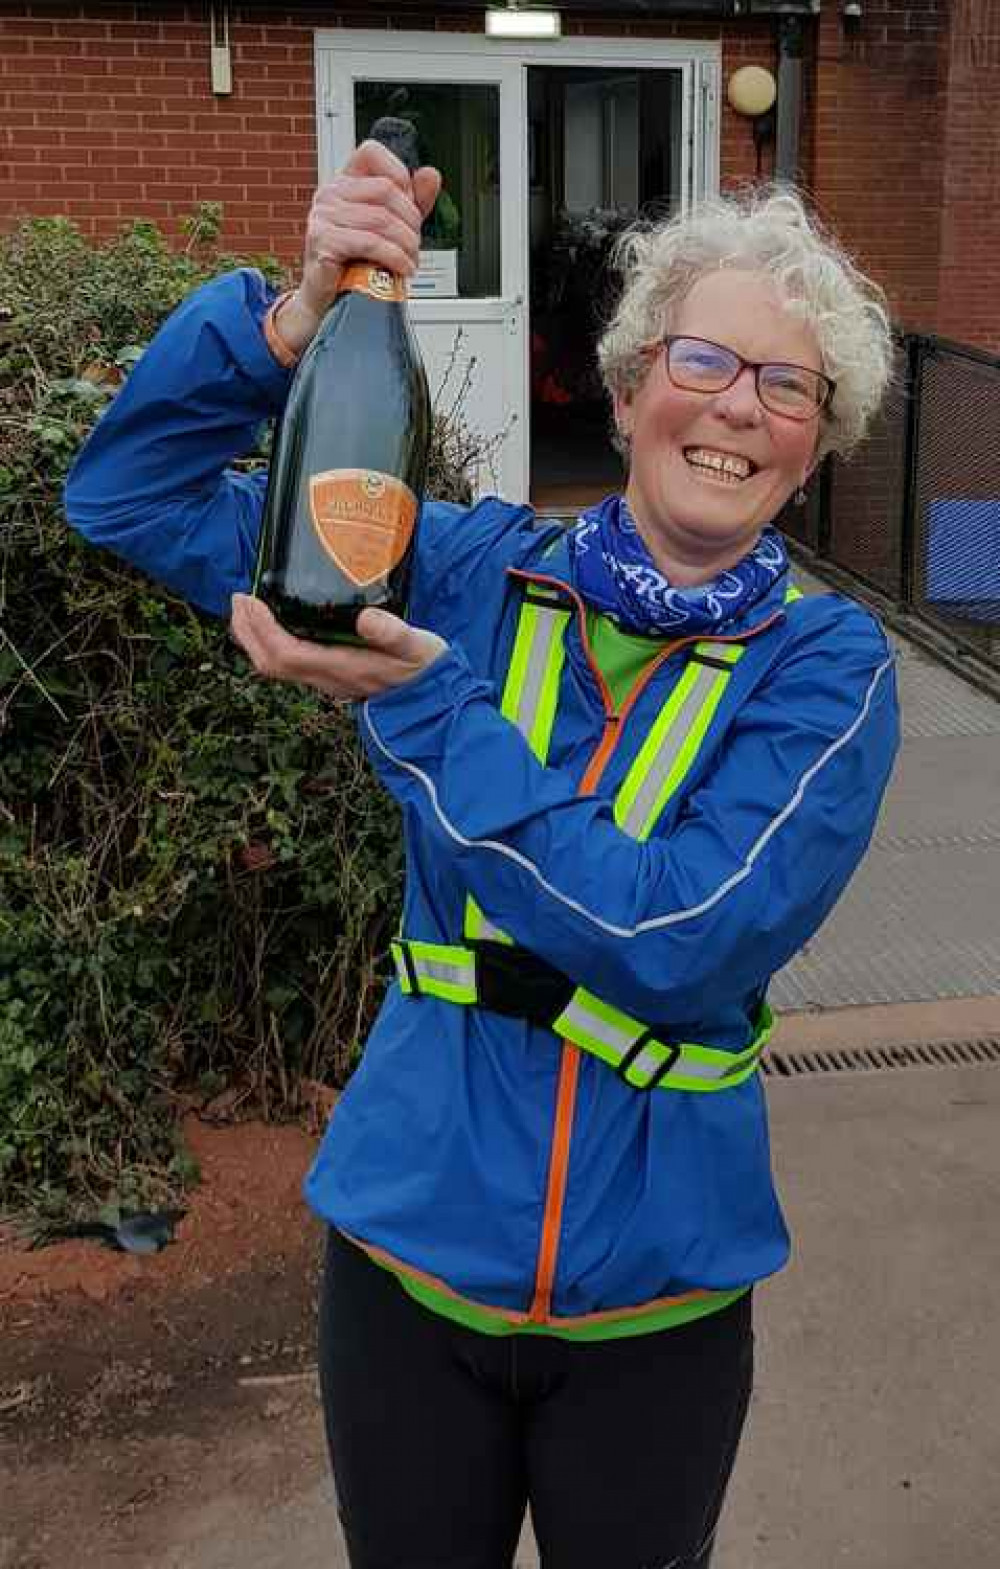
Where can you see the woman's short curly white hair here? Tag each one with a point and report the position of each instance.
(762, 230)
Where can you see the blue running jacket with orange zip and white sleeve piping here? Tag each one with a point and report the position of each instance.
(473, 1151)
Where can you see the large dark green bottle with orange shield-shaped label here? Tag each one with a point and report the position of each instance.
(349, 459)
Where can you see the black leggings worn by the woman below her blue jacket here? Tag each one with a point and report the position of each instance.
(440, 1436)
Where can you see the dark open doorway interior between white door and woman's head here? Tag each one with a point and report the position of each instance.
(604, 150)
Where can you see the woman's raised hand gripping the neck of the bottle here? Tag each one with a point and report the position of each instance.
(370, 213)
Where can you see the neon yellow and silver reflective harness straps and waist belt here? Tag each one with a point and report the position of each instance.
(531, 696)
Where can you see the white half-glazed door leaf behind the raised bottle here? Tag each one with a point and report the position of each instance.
(469, 296)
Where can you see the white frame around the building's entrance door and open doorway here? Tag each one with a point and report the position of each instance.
(470, 57)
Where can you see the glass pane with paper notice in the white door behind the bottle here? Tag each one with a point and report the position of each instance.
(458, 126)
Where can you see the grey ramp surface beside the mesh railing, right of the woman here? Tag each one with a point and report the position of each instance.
(919, 922)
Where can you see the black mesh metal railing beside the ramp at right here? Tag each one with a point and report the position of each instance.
(916, 514)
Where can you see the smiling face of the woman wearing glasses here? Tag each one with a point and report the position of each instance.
(692, 517)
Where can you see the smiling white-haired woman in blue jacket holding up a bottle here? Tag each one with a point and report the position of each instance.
(637, 773)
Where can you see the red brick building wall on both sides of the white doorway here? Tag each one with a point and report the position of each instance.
(108, 114)
